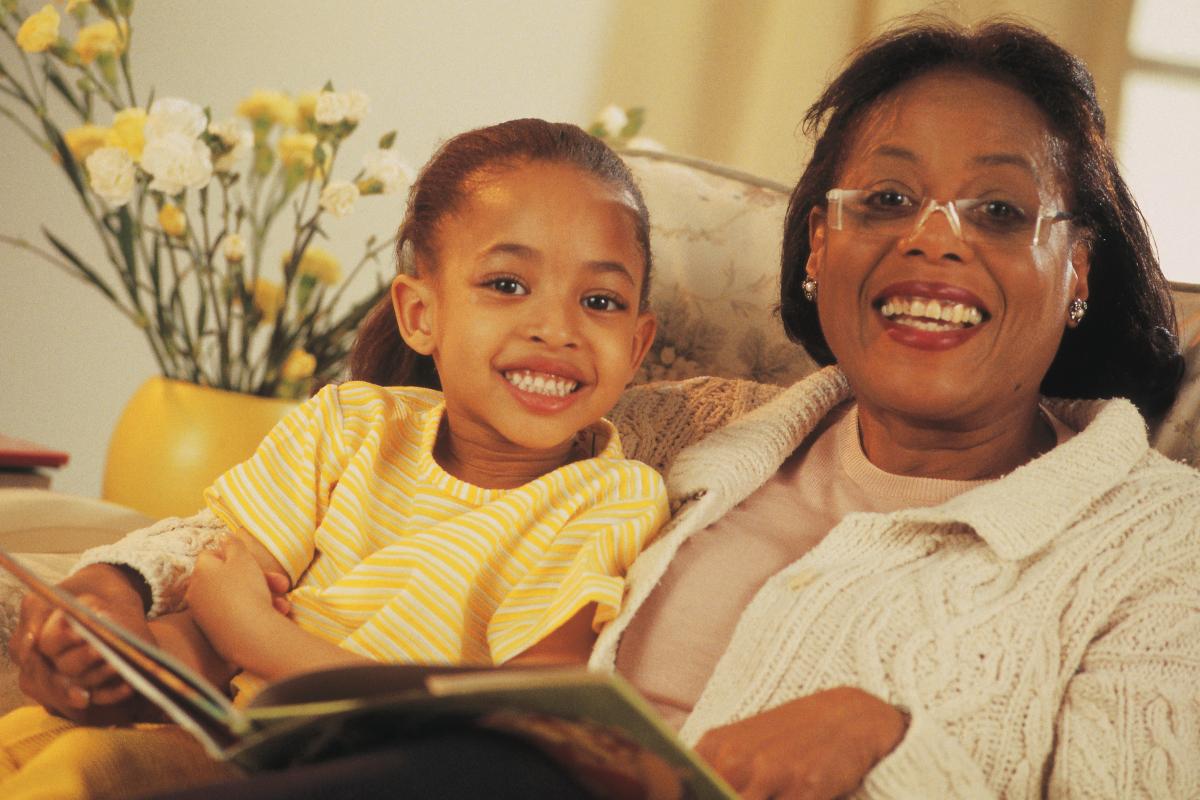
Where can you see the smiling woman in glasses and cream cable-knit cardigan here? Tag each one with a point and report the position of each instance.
(934, 581)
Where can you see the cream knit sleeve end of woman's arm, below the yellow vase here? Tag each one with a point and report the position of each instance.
(164, 555)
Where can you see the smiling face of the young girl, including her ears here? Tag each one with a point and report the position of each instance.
(532, 310)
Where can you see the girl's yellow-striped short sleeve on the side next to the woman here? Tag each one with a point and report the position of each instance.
(585, 563)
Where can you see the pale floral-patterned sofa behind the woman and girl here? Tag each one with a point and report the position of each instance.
(716, 238)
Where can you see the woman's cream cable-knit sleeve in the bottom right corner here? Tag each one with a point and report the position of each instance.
(1130, 725)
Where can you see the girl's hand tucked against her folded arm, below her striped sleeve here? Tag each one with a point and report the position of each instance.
(230, 596)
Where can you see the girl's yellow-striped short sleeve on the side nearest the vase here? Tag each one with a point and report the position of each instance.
(280, 495)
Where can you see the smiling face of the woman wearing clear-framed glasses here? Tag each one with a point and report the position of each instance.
(949, 136)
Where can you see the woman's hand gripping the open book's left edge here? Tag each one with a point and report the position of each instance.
(61, 670)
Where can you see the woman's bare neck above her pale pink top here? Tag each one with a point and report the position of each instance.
(967, 453)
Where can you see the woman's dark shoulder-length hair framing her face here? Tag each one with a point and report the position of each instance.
(1127, 345)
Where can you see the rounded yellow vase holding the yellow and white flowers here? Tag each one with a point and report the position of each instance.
(175, 438)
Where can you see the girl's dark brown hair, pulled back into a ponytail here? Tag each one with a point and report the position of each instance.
(380, 354)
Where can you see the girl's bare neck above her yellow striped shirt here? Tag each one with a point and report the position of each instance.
(491, 467)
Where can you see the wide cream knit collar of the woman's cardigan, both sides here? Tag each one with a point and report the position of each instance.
(1016, 515)
